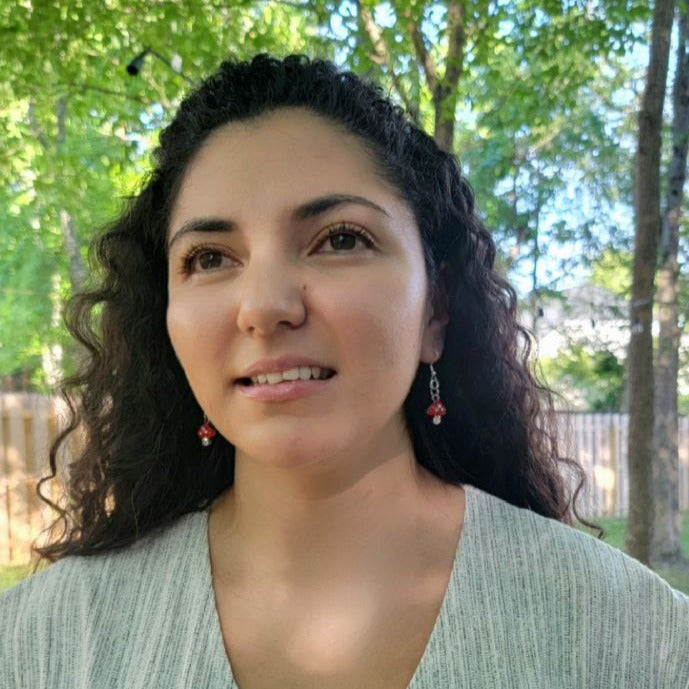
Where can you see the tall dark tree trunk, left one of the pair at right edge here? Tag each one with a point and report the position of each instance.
(647, 230)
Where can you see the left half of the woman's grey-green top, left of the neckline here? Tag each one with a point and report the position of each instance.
(140, 617)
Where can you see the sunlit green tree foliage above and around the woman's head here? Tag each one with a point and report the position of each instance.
(530, 84)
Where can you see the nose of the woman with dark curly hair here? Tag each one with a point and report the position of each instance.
(271, 297)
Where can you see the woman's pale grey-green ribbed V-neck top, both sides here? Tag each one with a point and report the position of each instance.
(531, 604)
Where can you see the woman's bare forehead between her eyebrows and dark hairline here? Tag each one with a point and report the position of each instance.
(269, 162)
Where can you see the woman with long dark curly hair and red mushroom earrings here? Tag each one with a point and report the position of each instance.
(315, 454)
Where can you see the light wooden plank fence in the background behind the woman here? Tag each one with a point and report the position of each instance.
(28, 424)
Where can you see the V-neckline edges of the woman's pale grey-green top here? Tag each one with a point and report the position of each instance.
(454, 582)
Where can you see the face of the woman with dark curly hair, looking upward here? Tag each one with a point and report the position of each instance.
(285, 244)
